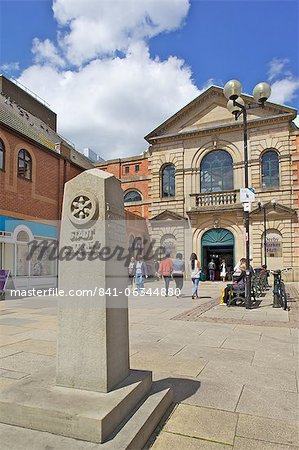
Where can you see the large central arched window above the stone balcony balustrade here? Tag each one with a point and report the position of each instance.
(216, 172)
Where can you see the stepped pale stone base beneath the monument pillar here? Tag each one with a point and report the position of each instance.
(38, 404)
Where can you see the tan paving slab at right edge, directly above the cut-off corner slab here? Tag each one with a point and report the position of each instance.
(270, 430)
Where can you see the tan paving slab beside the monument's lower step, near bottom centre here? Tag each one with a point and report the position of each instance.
(204, 423)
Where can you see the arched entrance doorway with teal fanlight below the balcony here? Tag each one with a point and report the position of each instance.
(217, 244)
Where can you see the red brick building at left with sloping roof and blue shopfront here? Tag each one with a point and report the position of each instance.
(35, 162)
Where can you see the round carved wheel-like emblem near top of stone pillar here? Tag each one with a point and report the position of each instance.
(82, 208)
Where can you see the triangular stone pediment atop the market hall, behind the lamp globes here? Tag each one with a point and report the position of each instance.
(208, 110)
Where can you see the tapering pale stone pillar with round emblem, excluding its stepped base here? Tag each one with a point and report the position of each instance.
(93, 342)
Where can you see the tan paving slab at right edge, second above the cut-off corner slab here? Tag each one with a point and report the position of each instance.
(270, 403)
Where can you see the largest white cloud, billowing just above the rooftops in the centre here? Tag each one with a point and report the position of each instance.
(111, 103)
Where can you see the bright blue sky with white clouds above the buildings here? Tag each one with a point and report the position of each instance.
(113, 70)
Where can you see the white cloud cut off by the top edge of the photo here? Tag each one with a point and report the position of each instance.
(93, 28)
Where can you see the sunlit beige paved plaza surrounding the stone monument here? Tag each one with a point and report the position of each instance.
(233, 371)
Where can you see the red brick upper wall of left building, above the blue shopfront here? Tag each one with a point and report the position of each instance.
(40, 198)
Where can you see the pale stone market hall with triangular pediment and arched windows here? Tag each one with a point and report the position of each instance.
(187, 183)
